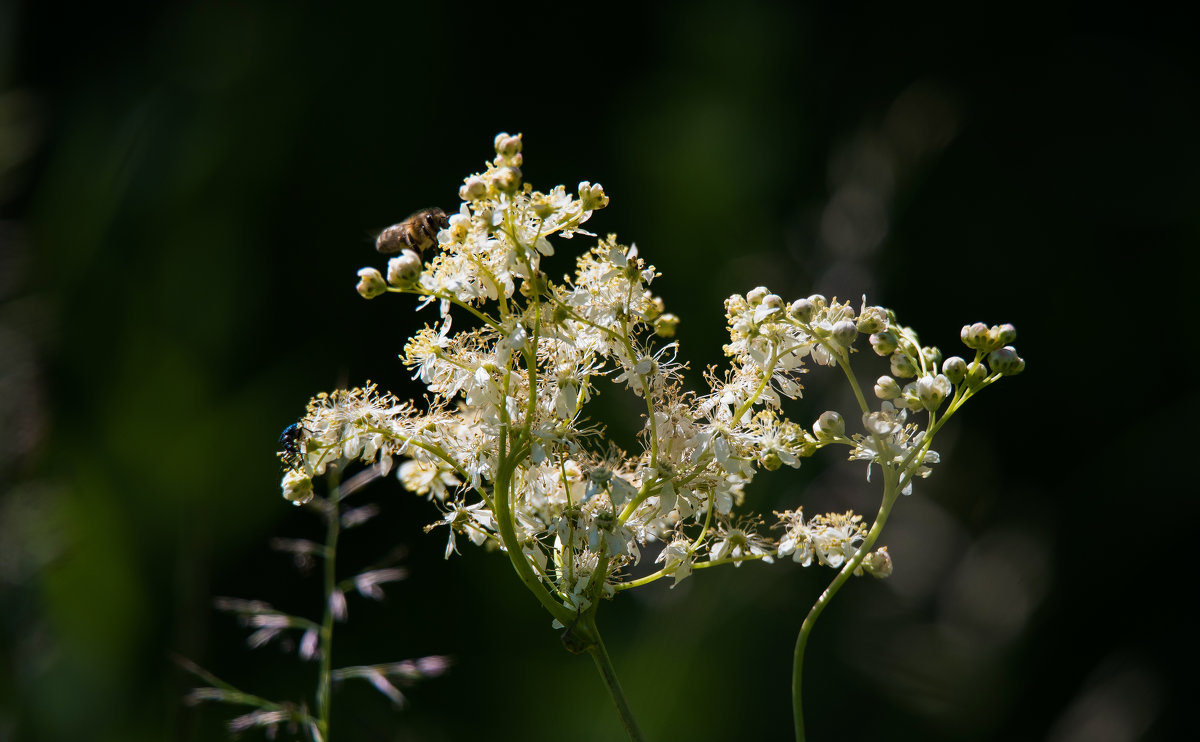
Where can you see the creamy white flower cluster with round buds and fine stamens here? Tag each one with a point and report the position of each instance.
(503, 448)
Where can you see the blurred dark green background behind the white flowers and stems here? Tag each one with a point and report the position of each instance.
(190, 188)
